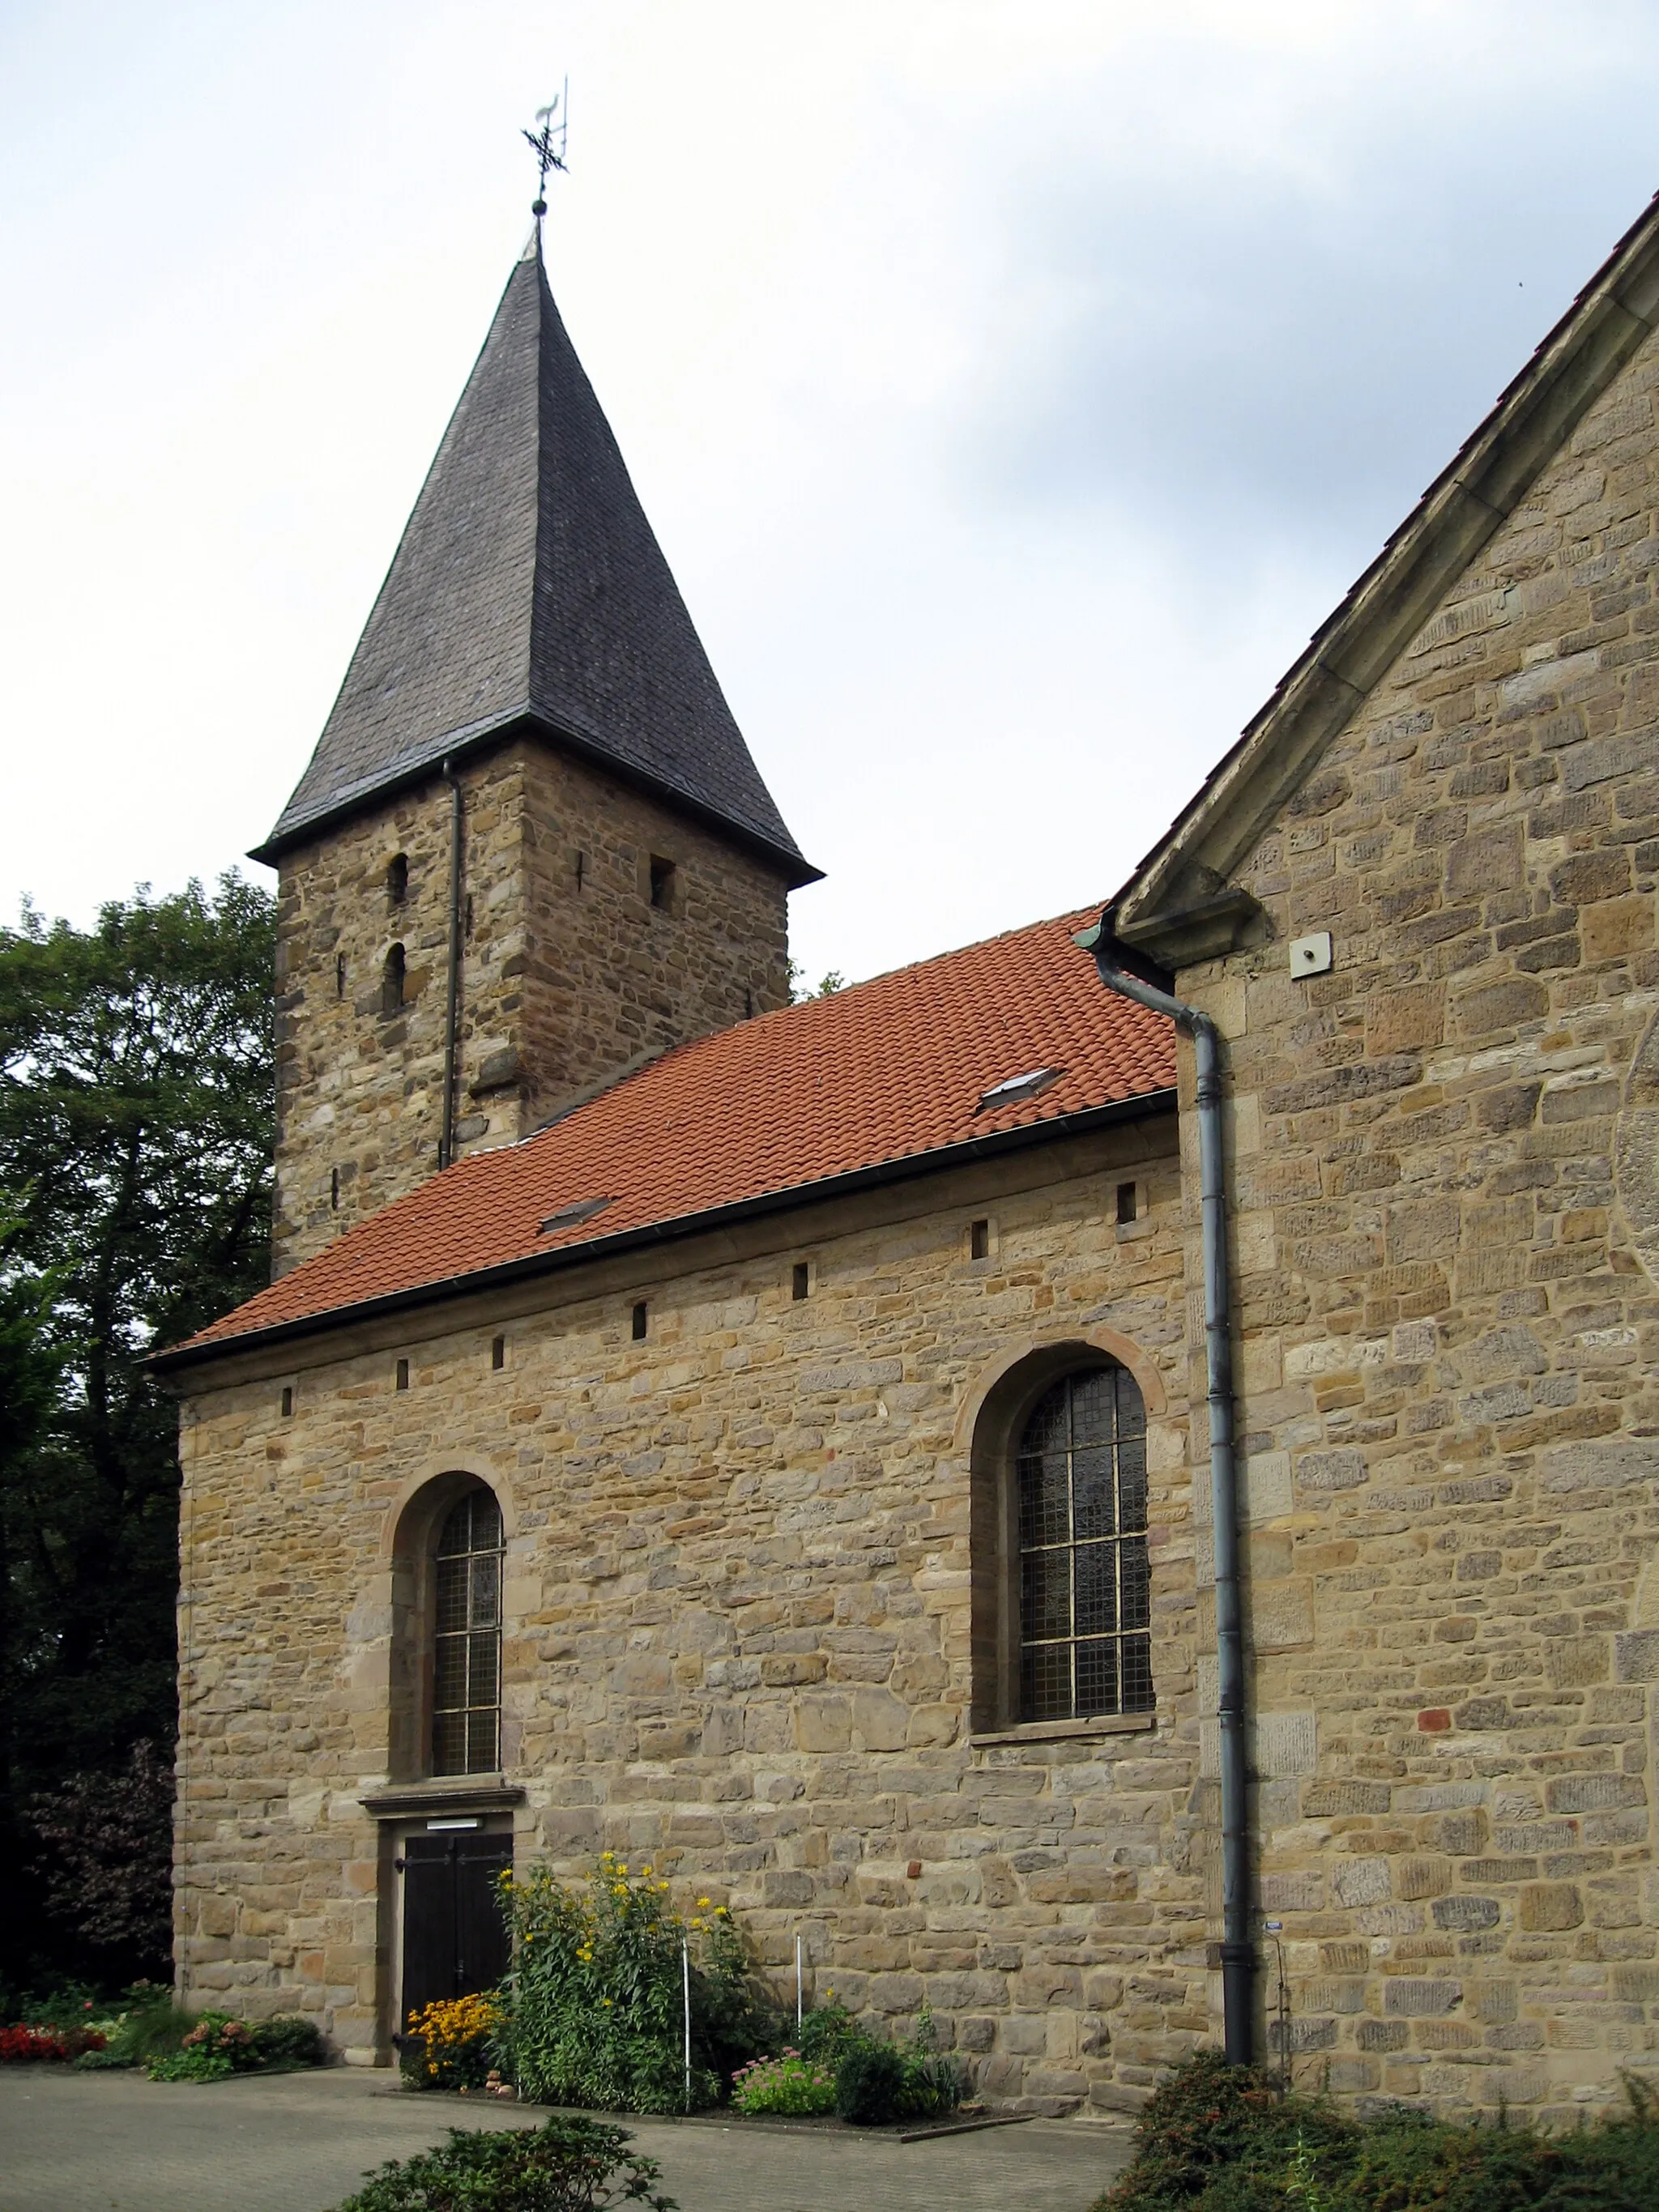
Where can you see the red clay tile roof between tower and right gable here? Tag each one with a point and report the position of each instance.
(884, 1072)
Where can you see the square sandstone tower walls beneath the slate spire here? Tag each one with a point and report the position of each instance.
(570, 972)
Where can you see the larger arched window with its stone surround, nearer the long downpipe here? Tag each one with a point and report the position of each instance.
(1061, 1574)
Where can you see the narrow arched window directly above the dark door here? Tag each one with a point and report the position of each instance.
(468, 1638)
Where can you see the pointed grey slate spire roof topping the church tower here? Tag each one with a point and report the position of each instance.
(530, 592)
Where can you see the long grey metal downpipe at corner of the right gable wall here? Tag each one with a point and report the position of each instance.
(1238, 1945)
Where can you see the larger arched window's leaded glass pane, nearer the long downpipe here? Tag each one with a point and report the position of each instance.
(1083, 1572)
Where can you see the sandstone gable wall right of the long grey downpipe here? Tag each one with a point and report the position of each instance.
(1446, 1213)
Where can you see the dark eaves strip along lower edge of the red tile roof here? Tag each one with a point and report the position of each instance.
(671, 1231)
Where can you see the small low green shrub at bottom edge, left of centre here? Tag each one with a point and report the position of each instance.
(565, 2167)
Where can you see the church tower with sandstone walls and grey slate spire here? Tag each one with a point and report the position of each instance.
(532, 848)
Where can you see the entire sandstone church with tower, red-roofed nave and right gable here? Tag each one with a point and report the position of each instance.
(773, 1437)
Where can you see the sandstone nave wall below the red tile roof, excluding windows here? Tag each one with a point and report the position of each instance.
(738, 1625)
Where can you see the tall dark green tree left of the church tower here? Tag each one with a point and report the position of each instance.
(136, 1136)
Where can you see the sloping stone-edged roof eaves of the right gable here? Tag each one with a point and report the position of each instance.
(1454, 519)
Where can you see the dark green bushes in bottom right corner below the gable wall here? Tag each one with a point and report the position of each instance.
(1220, 2138)
